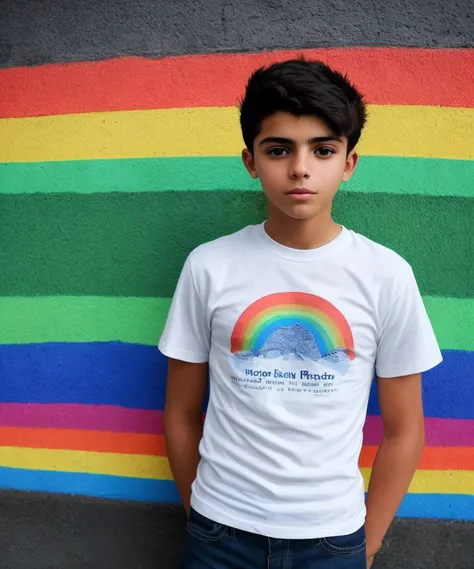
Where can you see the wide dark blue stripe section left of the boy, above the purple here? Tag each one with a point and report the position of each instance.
(111, 373)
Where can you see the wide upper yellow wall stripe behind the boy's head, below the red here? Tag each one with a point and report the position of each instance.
(392, 130)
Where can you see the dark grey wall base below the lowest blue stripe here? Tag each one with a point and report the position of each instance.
(43, 531)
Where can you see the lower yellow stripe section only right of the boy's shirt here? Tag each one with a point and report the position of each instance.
(436, 481)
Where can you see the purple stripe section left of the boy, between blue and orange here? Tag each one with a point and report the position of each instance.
(87, 417)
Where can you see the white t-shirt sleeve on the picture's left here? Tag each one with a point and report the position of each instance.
(186, 335)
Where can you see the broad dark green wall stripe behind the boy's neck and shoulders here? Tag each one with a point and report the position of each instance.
(135, 244)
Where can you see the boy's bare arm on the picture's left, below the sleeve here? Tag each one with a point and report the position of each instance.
(185, 394)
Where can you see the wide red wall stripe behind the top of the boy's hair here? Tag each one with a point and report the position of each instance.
(396, 76)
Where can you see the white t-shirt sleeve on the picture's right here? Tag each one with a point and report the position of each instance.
(407, 343)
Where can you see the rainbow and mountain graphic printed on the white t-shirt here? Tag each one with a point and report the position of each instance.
(293, 326)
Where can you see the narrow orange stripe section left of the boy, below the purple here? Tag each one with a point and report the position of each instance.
(75, 439)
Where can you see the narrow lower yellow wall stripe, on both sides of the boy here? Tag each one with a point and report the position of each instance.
(155, 467)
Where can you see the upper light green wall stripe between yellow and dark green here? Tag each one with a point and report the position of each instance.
(391, 175)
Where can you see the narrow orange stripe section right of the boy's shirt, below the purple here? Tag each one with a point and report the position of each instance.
(434, 458)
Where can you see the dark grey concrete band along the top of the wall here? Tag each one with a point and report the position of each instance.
(59, 30)
